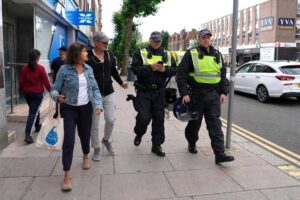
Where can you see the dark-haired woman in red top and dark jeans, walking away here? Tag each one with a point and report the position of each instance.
(33, 80)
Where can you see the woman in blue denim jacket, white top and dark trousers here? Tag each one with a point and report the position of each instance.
(76, 89)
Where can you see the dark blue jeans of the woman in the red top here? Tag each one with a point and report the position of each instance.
(34, 101)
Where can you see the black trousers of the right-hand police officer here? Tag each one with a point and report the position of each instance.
(208, 105)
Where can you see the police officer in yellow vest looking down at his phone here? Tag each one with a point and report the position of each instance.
(152, 65)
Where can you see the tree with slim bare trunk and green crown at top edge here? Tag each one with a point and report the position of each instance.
(132, 9)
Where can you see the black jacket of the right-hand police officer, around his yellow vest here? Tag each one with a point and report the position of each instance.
(185, 82)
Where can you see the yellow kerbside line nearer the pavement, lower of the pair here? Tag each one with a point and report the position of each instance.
(262, 144)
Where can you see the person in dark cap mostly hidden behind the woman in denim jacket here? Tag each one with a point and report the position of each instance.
(55, 66)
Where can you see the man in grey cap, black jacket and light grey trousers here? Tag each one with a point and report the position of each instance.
(104, 66)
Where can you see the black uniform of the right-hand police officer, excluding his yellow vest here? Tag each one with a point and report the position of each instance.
(205, 98)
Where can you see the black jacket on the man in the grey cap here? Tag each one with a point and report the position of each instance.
(103, 71)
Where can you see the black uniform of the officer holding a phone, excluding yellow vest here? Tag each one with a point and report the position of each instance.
(150, 87)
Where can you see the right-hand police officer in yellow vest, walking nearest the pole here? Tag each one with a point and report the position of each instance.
(201, 80)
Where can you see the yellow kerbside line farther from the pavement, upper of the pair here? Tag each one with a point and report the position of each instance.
(264, 140)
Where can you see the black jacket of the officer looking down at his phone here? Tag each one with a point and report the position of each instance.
(145, 75)
